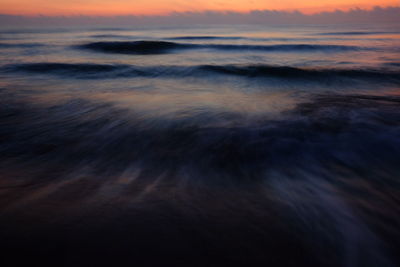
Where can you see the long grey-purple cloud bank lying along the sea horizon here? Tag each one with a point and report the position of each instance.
(375, 15)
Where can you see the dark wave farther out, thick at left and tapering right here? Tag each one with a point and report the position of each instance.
(161, 47)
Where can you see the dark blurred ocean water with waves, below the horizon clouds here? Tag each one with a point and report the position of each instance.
(200, 146)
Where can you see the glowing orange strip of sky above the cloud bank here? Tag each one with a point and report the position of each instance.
(147, 7)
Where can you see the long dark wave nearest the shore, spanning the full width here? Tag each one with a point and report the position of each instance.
(100, 71)
